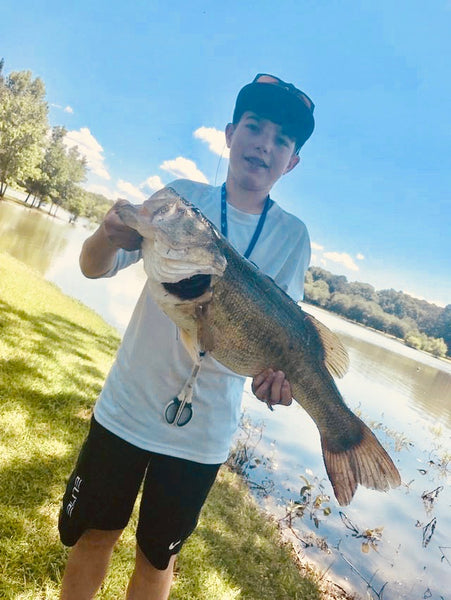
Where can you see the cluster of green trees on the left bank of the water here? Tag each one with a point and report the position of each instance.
(34, 156)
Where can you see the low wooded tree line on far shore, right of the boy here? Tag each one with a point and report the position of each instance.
(420, 324)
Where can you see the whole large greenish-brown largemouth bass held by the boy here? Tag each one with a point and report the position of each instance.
(225, 306)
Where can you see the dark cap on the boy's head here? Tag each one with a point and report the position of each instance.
(280, 102)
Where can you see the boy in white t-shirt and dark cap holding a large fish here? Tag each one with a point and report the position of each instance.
(136, 432)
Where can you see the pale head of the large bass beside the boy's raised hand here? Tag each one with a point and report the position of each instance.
(178, 241)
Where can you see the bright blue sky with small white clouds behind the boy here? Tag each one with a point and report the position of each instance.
(146, 88)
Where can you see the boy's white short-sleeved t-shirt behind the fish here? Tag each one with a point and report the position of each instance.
(152, 364)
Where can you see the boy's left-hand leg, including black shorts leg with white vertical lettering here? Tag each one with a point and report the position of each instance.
(96, 507)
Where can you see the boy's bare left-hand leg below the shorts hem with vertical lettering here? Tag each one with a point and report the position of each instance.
(87, 564)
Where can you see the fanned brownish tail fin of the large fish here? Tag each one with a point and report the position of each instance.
(365, 462)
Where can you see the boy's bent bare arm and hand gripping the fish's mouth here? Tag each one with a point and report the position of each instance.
(98, 254)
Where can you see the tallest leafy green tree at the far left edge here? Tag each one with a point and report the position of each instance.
(23, 126)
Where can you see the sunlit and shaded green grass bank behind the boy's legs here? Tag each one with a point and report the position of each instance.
(54, 355)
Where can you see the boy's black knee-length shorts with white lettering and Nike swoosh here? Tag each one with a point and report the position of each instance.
(102, 490)
